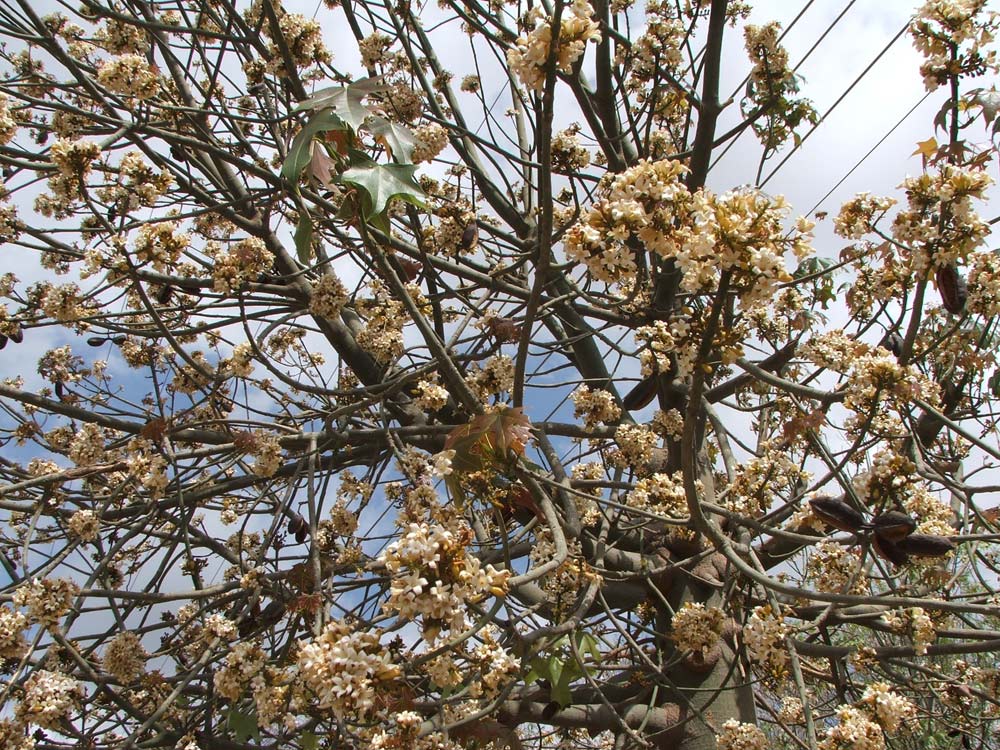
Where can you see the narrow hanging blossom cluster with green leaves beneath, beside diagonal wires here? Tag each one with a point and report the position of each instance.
(773, 87)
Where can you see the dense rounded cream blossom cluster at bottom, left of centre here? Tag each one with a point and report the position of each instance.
(346, 669)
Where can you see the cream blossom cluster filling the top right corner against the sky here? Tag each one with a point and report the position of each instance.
(953, 36)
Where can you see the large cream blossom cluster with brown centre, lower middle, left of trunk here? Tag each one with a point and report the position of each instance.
(434, 578)
